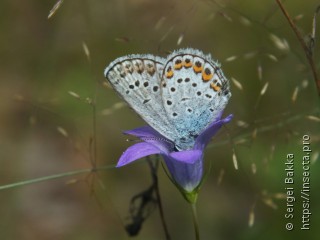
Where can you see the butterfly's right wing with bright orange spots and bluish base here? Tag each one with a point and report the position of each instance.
(194, 94)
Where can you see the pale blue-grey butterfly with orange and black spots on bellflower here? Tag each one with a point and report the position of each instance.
(178, 96)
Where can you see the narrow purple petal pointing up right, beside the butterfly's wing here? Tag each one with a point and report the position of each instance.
(204, 138)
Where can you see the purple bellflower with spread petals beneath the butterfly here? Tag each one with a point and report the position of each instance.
(185, 166)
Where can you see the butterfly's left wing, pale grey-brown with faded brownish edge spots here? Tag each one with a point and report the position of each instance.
(137, 78)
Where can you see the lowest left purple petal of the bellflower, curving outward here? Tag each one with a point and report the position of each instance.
(137, 151)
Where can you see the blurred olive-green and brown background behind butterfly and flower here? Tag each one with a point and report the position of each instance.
(44, 130)
